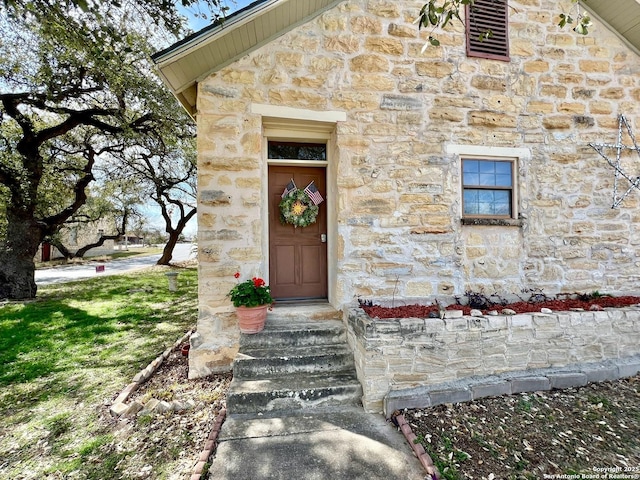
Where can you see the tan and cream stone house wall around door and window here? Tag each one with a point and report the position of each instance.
(395, 175)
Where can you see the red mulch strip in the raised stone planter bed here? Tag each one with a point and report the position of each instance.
(557, 305)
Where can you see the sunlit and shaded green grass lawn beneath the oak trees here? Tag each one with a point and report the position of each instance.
(66, 354)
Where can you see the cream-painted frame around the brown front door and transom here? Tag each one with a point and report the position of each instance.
(323, 133)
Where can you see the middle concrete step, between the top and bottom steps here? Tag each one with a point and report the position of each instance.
(257, 363)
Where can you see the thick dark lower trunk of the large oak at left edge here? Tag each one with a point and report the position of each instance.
(17, 266)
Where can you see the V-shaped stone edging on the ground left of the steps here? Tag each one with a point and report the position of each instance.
(119, 407)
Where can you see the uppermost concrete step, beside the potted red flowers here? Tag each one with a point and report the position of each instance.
(283, 332)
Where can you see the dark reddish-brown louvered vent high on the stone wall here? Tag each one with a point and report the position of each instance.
(487, 29)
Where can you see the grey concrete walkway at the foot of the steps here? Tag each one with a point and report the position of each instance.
(319, 444)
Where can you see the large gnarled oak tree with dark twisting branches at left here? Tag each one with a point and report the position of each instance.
(78, 91)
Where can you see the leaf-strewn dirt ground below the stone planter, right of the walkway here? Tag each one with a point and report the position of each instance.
(592, 430)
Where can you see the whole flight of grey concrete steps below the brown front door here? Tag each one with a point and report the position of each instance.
(300, 360)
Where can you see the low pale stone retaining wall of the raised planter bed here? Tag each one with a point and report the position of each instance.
(397, 354)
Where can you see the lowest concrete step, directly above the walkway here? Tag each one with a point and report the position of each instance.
(293, 392)
